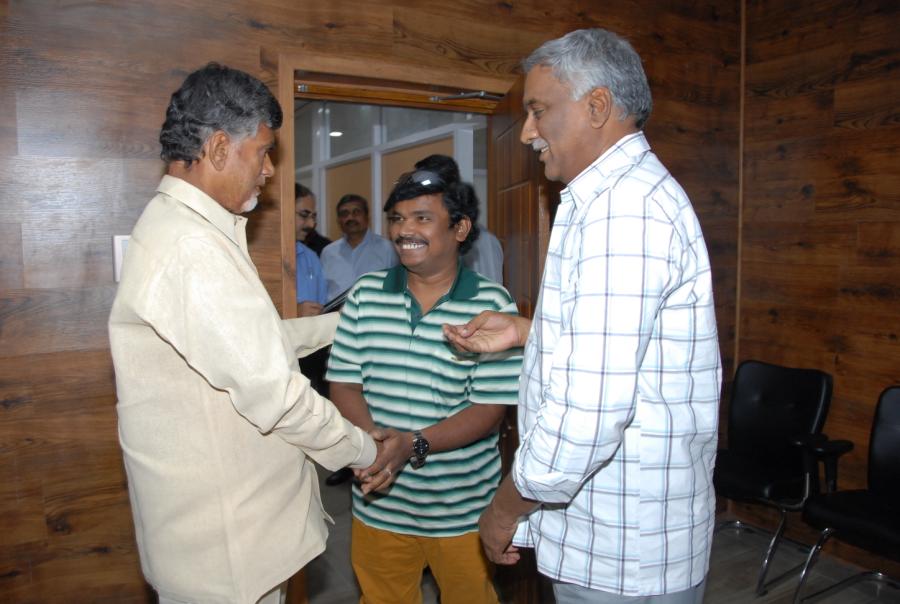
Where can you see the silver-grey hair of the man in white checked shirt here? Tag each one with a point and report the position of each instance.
(585, 59)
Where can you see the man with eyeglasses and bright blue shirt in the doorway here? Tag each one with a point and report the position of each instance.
(311, 287)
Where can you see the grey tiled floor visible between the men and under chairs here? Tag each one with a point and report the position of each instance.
(734, 563)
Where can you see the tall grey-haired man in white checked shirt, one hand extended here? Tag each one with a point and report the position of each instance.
(619, 394)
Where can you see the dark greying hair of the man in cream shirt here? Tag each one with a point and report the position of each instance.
(215, 98)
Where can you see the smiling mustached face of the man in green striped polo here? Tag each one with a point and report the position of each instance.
(423, 237)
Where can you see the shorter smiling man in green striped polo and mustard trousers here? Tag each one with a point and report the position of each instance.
(435, 410)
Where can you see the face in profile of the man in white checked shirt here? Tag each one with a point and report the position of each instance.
(557, 127)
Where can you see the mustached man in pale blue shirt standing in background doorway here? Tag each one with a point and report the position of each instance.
(359, 251)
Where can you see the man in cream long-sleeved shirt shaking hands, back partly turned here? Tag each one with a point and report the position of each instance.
(216, 421)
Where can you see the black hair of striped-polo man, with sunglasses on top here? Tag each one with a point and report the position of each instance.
(459, 199)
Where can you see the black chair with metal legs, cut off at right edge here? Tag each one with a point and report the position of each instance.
(867, 518)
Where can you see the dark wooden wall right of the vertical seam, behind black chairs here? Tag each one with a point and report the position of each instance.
(820, 262)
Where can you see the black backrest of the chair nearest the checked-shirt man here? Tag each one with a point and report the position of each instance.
(770, 404)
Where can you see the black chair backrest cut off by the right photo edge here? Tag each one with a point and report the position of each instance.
(884, 445)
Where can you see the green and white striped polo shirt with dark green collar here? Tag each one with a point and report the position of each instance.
(412, 378)
